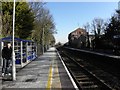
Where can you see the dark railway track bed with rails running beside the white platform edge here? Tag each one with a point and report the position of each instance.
(87, 76)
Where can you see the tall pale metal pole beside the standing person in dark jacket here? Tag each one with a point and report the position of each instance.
(13, 52)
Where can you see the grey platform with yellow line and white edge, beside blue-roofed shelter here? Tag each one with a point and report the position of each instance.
(46, 72)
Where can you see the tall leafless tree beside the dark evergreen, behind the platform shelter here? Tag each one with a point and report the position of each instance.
(44, 23)
